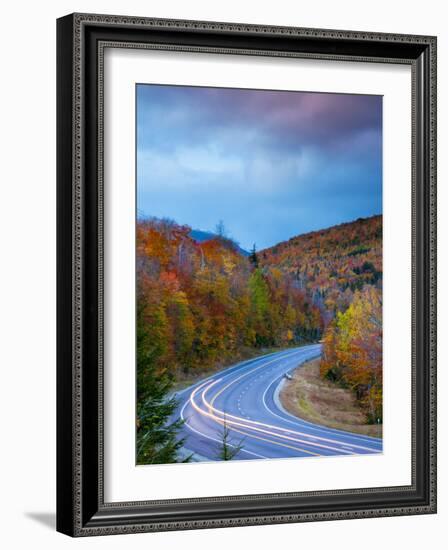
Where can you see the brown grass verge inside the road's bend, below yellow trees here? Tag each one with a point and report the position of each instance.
(310, 397)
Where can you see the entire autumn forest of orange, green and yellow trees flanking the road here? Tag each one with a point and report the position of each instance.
(205, 303)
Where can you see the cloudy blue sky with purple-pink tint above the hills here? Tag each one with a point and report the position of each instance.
(269, 164)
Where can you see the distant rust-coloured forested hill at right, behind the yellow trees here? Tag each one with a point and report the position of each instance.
(331, 264)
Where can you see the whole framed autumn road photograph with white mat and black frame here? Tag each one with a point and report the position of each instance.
(246, 274)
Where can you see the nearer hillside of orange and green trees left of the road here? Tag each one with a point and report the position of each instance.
(203, 303)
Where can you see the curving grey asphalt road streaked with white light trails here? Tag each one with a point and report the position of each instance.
(245, 397)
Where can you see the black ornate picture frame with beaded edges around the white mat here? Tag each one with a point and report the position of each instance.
(81, 510)
